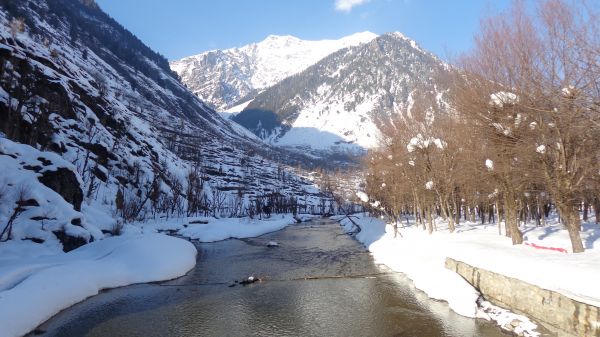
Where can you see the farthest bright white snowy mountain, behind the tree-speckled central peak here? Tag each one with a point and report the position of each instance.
(225, 78)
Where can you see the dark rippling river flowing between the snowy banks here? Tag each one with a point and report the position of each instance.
(318, 282)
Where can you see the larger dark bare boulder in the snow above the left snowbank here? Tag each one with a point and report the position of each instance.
(64, 182)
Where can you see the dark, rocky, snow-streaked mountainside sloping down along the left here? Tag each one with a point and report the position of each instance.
(95, 129)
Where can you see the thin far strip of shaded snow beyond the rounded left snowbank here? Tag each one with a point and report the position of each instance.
(207, 229)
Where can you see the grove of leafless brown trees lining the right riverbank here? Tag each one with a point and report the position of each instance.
(525, 125)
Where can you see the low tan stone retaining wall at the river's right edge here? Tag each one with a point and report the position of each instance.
(566, 316)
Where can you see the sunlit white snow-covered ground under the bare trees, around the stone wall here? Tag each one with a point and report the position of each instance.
(422, 256)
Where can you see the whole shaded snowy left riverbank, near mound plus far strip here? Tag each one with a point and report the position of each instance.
(39, 280)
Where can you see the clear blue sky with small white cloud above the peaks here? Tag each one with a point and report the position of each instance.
(179, 28)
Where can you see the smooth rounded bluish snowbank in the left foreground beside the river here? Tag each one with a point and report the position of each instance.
(37, 282)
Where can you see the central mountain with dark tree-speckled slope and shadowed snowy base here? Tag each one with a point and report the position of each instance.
(336, 103)
